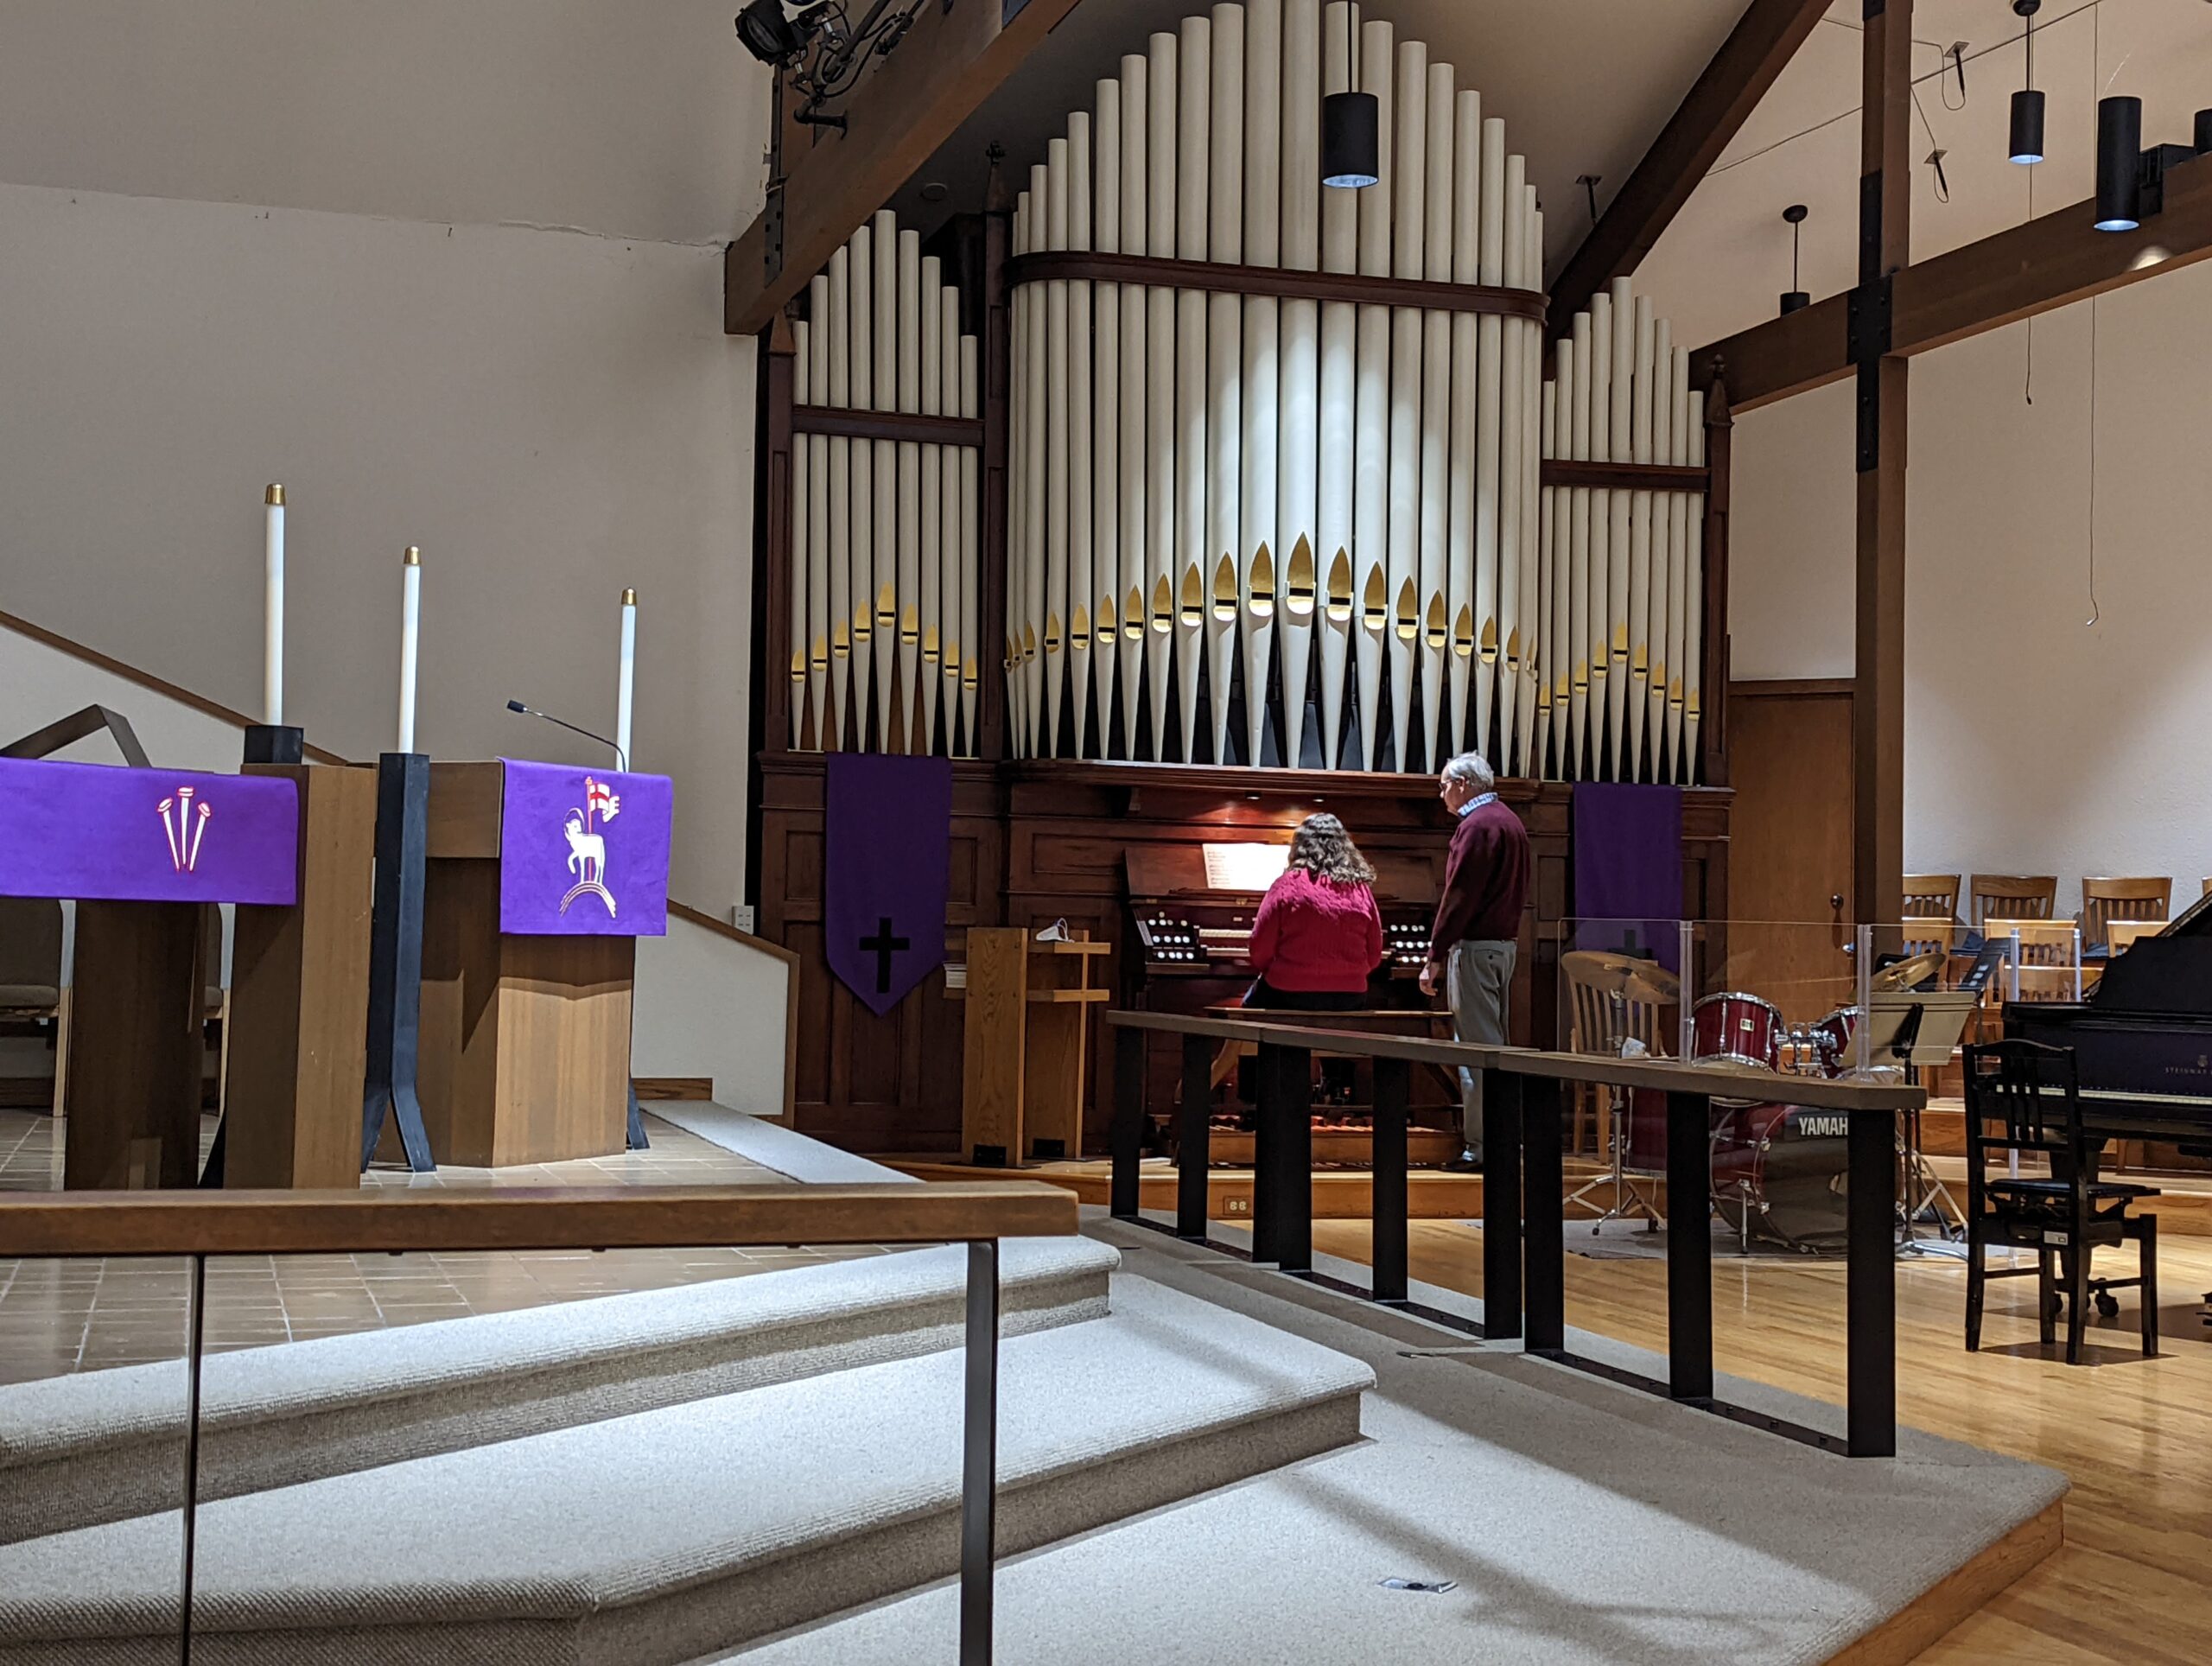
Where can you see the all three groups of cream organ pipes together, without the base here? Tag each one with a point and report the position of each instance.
(1288, 475)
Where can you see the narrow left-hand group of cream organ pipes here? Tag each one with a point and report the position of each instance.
(886, 506)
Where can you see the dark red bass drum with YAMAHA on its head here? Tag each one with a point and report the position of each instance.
(1780, 1174)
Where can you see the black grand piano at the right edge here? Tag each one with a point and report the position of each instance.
(2142, 1037)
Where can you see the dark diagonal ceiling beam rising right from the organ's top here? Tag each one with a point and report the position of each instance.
(1715, 110)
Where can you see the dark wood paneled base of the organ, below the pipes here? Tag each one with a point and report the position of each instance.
(1047, 840)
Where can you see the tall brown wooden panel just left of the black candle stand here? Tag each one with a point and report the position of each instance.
(300, 986)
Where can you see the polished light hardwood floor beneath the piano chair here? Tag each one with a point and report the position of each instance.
(2133, 1581)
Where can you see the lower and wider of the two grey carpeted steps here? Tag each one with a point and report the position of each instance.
(662, 1537)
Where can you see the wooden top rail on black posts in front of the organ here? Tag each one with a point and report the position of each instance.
(1665, 1076)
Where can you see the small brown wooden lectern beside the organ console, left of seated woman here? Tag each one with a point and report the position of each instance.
(1027, 1025)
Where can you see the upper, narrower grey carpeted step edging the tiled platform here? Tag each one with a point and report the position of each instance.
(107, 1446)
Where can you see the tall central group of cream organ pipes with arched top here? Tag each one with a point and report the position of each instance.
(1240, 464)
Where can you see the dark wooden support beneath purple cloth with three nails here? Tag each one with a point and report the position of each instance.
(136, 1048)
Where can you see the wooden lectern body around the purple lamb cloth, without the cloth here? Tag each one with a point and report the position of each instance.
(525, 1039)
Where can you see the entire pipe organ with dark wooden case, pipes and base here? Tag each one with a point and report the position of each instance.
(985, 530)
